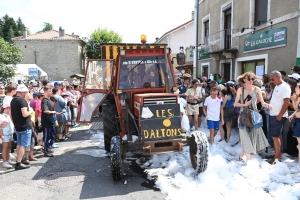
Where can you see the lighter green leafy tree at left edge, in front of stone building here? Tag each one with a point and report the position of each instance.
(10, 55)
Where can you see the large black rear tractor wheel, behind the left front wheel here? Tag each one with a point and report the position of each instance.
(111, 126)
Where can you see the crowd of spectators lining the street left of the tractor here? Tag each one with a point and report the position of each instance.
(36, 113)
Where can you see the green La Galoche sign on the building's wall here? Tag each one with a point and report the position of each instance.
(268, 39)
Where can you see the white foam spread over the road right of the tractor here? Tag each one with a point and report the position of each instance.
(225, 177)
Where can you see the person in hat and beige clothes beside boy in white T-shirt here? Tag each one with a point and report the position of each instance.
(194, 97)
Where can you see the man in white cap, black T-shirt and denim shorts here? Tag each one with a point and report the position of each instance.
(20, 113)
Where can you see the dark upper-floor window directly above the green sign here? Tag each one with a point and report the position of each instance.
(261, 12)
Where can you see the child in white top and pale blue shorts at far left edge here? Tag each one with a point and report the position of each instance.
(6, 134)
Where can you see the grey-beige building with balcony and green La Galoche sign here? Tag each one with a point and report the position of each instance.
(237, 36)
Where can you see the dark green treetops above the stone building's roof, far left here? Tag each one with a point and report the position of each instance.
(10, 28)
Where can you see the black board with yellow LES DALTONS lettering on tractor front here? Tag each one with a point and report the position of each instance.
(160, 122)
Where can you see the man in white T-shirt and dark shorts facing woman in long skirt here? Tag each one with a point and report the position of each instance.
(280, 101)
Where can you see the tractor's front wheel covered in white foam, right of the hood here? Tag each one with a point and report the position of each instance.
(199, 151)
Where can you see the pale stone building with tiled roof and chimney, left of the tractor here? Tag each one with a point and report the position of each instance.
(58, 54)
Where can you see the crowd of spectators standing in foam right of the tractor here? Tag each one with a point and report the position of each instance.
(274, 96)
